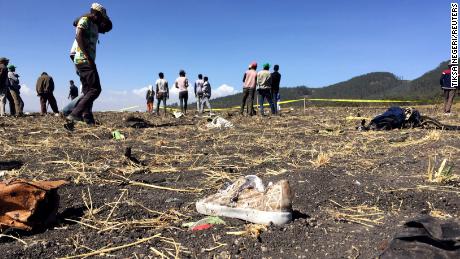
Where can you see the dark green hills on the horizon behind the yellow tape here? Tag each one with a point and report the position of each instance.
(376, 85)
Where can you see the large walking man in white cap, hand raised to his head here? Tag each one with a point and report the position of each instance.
(83, 53)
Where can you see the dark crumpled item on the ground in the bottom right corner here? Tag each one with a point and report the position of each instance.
(425, 237)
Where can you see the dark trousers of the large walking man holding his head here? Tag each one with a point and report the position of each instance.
(91, 87)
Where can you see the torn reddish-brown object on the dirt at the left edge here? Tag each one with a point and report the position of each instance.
(27, 204)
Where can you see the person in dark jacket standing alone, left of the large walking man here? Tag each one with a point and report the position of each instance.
(45, 89)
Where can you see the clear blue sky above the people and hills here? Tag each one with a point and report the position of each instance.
(315, 43)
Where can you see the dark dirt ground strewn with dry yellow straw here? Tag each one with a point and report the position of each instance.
(353, 190)
